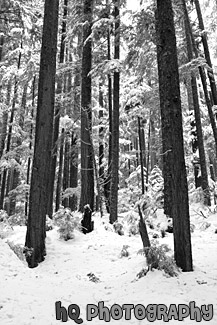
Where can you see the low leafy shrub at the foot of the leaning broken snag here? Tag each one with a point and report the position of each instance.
(157, 258)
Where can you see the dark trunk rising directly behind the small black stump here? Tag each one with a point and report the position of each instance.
(87, 170)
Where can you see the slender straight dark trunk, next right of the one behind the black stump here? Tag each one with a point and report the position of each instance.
(115, 121)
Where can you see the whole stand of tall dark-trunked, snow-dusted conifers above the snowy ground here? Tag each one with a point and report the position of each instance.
(84, 119)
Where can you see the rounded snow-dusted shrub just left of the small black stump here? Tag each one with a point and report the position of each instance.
(67, 223)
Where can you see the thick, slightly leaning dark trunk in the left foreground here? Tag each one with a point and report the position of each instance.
(36, 232)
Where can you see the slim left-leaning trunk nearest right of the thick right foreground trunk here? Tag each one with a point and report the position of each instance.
(203, 166)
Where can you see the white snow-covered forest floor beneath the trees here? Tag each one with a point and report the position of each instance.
(89, 269)
